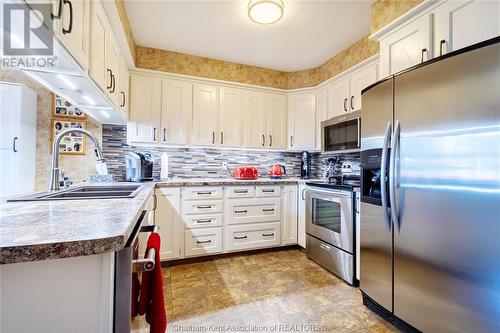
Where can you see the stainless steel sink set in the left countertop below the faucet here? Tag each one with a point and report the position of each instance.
(85, 192)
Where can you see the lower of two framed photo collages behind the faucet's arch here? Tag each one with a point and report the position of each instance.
(72, 144)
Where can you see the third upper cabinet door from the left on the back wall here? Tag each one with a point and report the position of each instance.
(205, 115)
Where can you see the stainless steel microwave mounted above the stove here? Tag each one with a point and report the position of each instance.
(341, 134)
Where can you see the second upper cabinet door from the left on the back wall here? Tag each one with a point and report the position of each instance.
(176, 111)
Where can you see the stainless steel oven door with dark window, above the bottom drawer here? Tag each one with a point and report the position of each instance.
(329, 216)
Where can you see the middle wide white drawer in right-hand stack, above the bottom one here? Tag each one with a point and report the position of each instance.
(253, 210)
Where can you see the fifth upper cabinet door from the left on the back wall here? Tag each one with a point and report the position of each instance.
(255, 120)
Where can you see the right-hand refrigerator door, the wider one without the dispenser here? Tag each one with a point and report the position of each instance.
(447, 181)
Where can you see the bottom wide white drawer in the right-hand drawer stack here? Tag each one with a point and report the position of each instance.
(240, 237)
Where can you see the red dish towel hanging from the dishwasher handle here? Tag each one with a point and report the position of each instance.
(151, 300)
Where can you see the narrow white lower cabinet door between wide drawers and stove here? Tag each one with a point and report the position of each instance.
(289, 215)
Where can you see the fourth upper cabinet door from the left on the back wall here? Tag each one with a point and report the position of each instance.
(230, 117)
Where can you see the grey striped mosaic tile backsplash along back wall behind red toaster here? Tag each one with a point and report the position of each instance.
(193, 162)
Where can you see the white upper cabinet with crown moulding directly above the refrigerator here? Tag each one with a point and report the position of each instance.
(434, 28)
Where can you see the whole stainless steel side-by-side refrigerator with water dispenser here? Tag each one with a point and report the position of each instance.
(430, 194)
